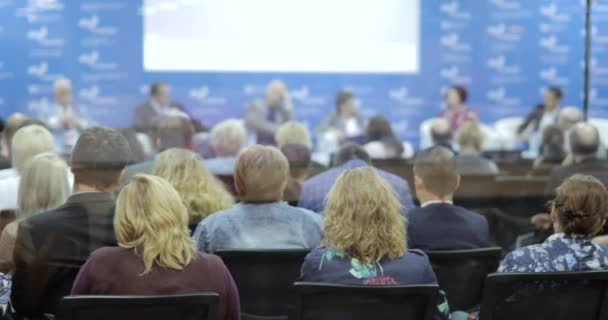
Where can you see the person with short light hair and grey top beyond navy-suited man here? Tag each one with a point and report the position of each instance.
(469, 160)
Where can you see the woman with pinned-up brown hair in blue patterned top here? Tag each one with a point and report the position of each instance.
(578, 213)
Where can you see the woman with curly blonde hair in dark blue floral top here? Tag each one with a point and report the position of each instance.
(365, 238)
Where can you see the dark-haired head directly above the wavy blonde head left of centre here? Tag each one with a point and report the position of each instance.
(173, 131)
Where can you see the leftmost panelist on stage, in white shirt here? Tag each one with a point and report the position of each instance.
(65, 120)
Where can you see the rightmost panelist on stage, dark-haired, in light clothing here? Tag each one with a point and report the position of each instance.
(542, 116)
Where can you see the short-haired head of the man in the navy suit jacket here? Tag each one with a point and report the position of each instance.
(436, 168)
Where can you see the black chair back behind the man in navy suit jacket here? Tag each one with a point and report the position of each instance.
(461, 273)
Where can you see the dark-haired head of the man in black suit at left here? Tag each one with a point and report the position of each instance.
(99, 157)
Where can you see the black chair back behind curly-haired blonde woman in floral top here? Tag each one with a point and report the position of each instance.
(324, 301)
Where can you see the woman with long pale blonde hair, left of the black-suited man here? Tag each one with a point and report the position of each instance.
(44, 186)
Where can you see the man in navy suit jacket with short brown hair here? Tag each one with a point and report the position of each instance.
(438, 224)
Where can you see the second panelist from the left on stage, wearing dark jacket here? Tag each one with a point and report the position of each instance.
(160, 105)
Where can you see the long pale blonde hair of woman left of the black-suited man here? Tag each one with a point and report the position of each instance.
(44, 185)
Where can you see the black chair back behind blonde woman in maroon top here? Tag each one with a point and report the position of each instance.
(200, 306)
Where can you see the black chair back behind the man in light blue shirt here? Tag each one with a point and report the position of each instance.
(264, 278)
